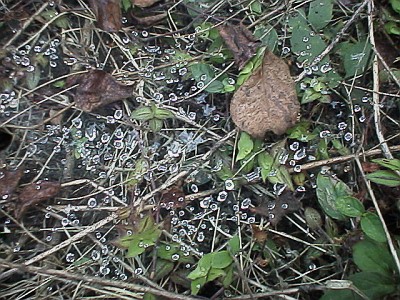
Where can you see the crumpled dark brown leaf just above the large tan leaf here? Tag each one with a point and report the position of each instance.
(240, 41)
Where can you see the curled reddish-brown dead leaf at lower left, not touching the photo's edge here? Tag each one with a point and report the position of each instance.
(35, 193)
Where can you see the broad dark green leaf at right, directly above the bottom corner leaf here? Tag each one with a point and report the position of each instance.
(370, 256)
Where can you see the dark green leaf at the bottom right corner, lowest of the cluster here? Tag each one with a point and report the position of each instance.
(374, 285)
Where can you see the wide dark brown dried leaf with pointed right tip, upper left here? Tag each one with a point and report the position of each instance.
(97, 88)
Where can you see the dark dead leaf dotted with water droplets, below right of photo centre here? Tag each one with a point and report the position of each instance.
(275, 210)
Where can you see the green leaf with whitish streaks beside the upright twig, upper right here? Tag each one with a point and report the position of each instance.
(355, 56)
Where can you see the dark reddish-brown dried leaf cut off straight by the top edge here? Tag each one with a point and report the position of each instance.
(108, 14)
